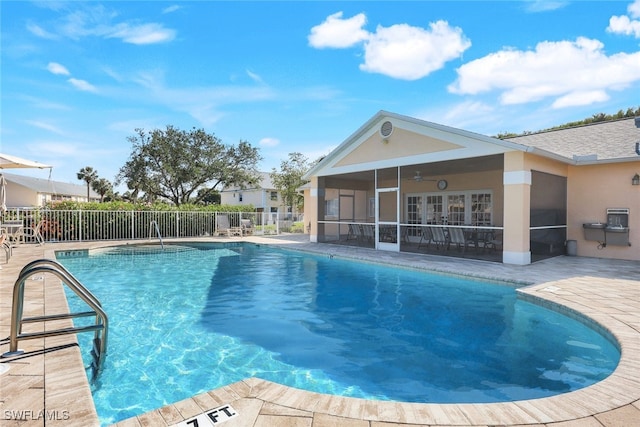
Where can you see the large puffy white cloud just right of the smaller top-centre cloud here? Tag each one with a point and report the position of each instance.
(410, 53)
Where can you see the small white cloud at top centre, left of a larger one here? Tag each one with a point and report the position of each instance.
(336, 32)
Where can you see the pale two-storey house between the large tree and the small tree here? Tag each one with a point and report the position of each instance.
(261, 195)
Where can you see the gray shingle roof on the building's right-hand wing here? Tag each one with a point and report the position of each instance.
(608, 141)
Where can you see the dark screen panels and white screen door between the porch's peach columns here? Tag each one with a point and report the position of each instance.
(452, 208)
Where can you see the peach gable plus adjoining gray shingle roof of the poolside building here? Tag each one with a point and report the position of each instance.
(602, 142)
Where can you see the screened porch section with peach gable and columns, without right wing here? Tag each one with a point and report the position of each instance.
(402, 184)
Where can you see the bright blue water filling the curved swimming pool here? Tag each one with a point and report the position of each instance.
(194, 318)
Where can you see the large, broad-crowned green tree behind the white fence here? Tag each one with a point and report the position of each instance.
(173, 164)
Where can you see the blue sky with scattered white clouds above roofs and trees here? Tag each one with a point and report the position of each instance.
(77, 78)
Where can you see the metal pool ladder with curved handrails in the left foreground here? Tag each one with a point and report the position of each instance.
(100, 328)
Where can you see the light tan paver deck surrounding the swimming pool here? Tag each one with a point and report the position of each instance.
(48, 386)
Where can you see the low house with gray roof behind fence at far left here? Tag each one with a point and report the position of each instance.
(25, 191)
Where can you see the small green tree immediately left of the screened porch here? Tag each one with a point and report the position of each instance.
(289, 179)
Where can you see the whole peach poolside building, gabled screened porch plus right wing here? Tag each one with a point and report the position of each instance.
(398, 176)
